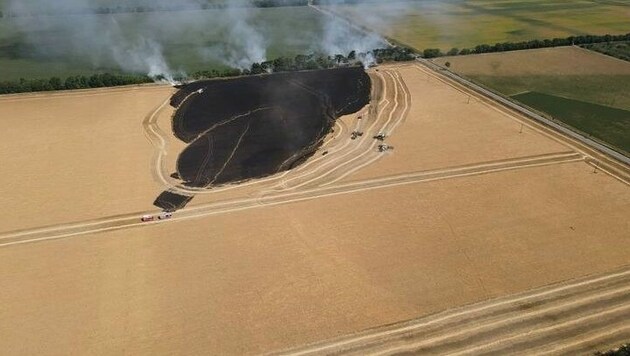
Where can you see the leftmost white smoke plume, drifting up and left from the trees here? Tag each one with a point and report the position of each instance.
(101, 40)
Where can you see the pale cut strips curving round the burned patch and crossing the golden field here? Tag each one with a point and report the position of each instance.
(317, 177)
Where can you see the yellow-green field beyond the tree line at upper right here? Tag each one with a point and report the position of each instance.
(467, 23)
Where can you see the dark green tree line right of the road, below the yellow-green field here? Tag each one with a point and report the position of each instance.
(516, 46)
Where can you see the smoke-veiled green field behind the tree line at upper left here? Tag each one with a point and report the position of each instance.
(46, 48)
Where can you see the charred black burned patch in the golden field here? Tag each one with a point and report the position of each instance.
(252, 127)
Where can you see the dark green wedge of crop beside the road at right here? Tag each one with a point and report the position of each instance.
(607, 124)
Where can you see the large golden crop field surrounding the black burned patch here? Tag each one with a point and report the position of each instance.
(474, 202)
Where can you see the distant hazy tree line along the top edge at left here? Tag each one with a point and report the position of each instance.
(103, 10)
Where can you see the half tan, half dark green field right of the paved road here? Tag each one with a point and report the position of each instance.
(584, 89)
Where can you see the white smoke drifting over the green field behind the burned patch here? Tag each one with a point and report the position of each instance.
(162, 43)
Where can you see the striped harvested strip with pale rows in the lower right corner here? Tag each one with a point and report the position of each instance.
(567, 318)
